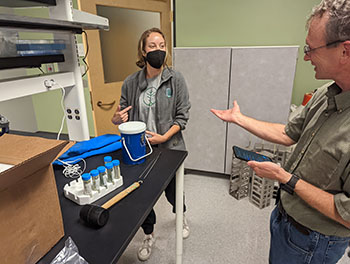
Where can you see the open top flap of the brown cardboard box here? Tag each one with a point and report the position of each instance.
(32, 154)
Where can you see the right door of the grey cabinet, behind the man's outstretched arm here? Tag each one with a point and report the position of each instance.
(262, 83)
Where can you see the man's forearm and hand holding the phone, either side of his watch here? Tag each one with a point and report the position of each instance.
(315, 197)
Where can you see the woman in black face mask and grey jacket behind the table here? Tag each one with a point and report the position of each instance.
(158, 96)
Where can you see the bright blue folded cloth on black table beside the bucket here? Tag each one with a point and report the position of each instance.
(95, 146)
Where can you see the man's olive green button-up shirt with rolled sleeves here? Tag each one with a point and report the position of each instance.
(322, 158)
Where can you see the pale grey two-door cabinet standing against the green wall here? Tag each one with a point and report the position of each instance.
(259, 78)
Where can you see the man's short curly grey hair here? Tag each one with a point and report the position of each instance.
(338, 24)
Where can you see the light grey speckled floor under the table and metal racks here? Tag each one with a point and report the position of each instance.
(223, 229)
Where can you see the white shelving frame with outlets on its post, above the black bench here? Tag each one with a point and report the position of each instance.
(64, 23)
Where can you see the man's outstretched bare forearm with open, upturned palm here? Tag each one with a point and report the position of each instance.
(272, 132)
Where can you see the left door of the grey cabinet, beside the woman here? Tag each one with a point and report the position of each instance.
(206, 71)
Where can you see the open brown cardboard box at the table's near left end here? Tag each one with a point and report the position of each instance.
(30, 214)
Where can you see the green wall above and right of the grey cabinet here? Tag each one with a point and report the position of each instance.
(207, 23)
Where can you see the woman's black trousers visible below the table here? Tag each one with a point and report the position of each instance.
(170, 194)
